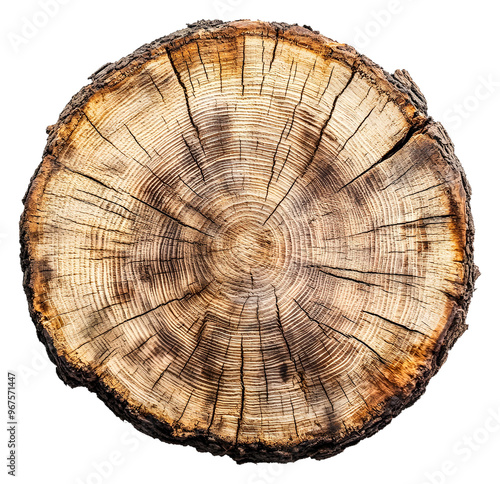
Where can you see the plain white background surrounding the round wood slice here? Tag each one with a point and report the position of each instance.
(451, 50)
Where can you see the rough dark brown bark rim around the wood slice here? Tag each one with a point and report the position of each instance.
(318, 448)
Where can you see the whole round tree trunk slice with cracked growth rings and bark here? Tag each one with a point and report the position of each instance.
(249, 238)
